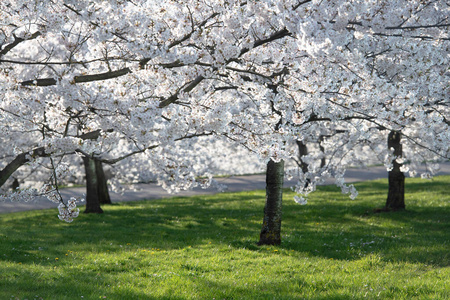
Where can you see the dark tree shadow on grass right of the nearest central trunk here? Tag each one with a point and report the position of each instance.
(411, 236)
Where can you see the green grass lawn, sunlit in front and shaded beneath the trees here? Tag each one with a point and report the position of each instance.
(205, 248)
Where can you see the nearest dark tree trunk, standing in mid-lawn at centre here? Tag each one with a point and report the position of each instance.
(271, 228)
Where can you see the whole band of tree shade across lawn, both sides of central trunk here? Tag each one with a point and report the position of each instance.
(324, 229)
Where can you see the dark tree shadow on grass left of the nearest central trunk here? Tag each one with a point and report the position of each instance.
(165, 224)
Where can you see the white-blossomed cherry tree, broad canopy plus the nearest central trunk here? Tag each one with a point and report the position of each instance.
(263, 74)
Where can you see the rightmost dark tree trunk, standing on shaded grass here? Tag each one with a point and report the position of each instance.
(396, 193)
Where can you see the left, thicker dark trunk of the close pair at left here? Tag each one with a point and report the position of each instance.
(92, 199)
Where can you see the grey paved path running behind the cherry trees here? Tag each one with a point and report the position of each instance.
(233, 183)
